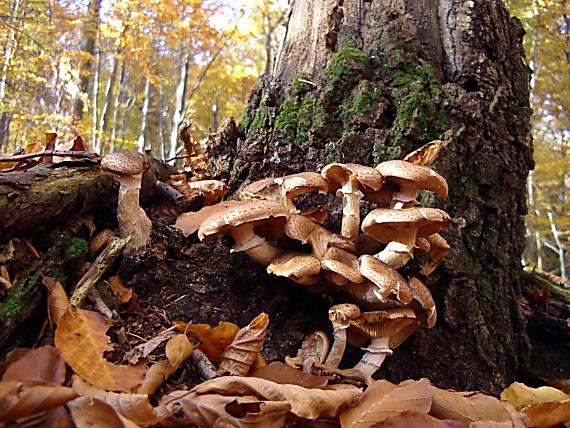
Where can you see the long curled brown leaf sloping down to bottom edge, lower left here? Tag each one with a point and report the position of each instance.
(134, 407)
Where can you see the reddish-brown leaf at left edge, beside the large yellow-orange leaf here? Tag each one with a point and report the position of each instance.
(44, 364)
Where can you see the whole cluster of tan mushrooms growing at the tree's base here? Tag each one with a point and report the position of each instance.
(360, 262)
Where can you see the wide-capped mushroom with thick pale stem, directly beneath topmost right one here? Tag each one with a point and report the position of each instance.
(400, 229)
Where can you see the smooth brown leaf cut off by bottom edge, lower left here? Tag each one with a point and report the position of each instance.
(88, 412)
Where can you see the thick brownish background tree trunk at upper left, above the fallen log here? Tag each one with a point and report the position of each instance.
(89, 37)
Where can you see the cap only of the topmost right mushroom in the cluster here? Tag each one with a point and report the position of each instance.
(406, 173)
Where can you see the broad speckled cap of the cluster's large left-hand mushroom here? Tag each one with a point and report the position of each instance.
(240, 213)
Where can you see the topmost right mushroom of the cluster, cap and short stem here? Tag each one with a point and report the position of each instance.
(411, 178)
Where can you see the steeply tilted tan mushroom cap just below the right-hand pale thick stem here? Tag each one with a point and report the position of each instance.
(388, 280)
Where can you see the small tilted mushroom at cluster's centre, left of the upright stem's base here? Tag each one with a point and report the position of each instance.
(305, 230)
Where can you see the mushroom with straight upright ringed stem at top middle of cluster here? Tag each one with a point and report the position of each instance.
(351, 181)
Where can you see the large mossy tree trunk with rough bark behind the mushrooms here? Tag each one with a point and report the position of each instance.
(378, 80)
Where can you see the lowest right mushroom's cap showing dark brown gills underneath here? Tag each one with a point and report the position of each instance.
(396, 323)
